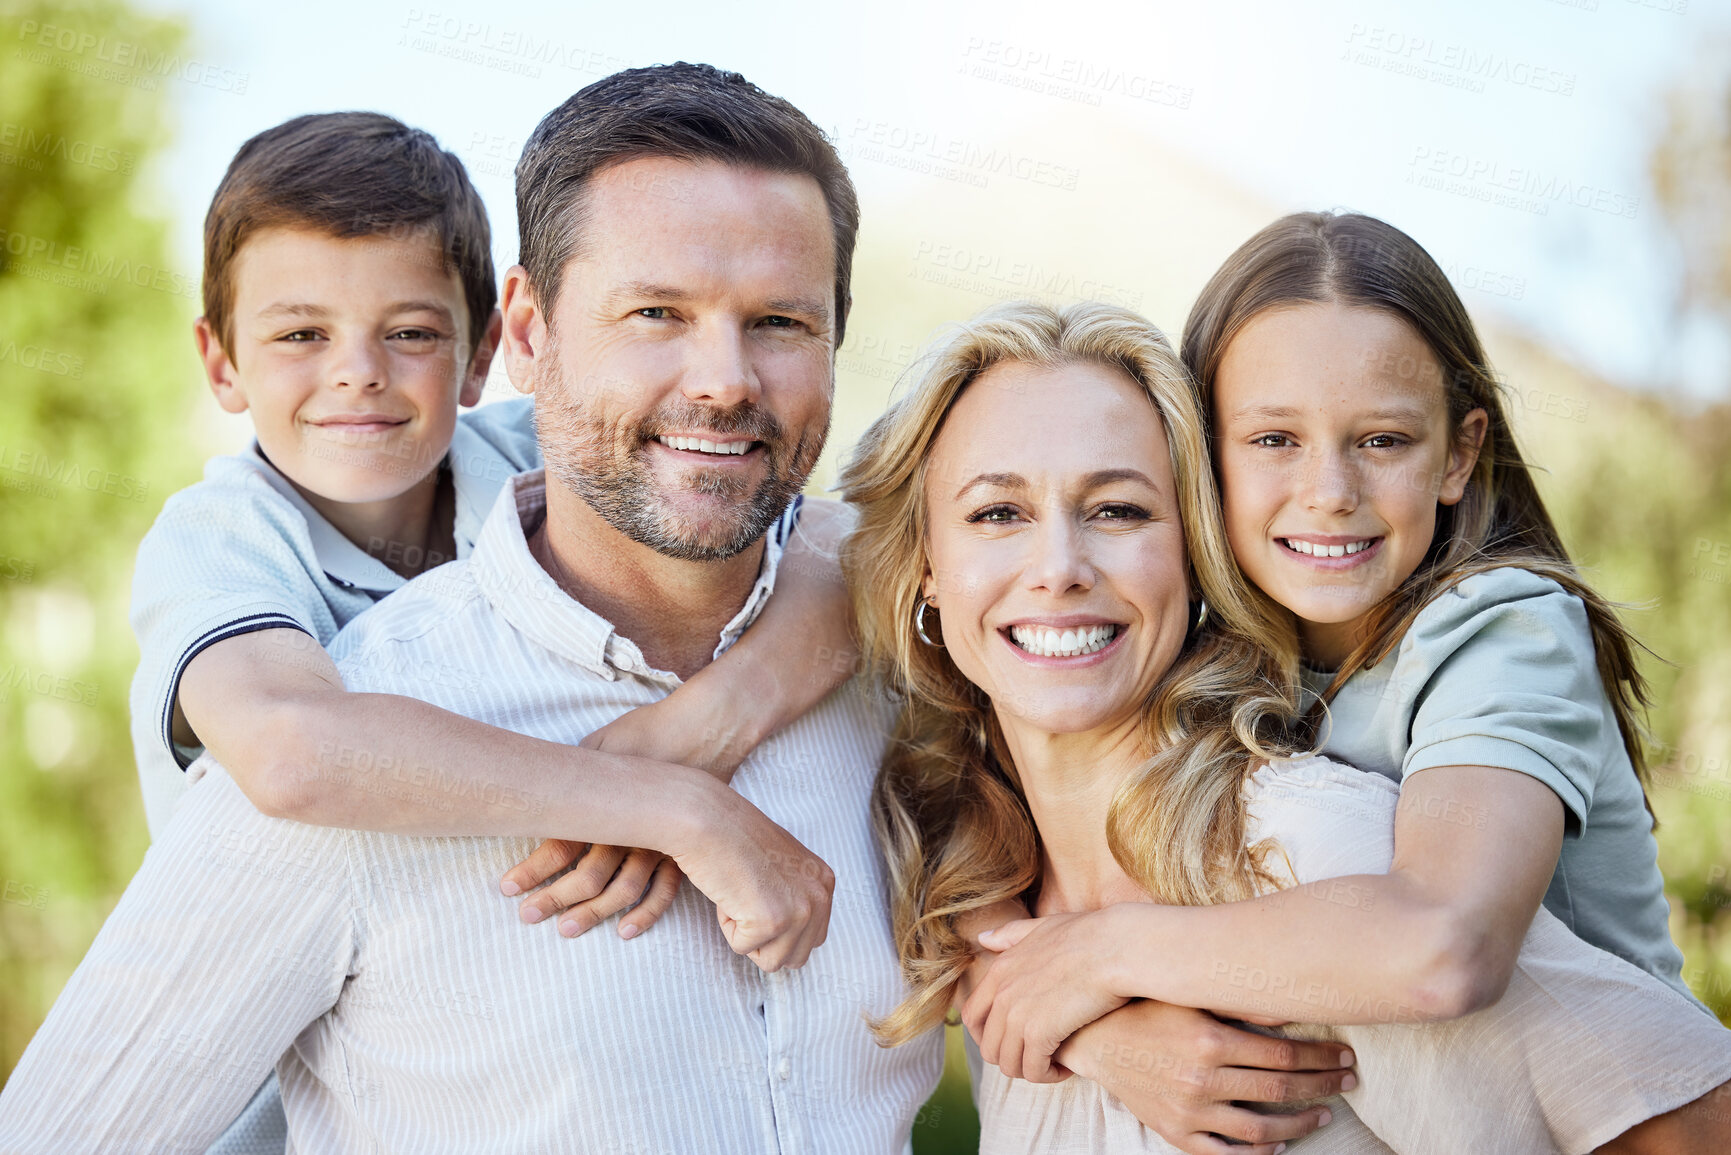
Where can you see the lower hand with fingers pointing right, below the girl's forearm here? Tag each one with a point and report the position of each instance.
(1185, 1073)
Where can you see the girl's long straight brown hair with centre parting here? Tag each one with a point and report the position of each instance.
(1502, 522)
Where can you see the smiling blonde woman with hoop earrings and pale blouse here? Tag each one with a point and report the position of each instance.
(1090, 719)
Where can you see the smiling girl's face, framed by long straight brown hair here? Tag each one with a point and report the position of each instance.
(1335, 451)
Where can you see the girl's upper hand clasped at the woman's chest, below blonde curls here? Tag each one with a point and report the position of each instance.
(1048, 981)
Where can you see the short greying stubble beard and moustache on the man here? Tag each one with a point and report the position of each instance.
(605, 465)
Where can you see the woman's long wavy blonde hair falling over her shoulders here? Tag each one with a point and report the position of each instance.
(948, 806)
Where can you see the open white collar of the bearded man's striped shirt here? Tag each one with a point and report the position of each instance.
(534, 605)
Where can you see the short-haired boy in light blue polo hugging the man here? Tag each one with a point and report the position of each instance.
(351, 309)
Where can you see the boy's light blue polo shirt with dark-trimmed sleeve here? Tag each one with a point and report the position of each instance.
(243, 552)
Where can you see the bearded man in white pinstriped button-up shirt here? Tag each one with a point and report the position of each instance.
(686, 254)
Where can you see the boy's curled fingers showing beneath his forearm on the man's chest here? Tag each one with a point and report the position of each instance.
(602, 882)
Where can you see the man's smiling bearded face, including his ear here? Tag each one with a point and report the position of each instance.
(686, 373)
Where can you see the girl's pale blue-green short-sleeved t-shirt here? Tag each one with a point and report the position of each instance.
(1502, 671)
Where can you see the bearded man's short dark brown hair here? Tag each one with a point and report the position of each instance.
(685, 112)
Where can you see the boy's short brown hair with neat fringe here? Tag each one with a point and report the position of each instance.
(349, 176)
